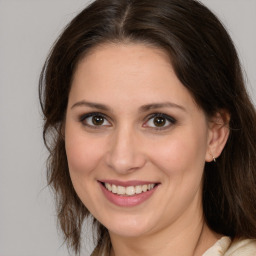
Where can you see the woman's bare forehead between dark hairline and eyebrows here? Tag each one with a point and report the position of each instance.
(126, 73)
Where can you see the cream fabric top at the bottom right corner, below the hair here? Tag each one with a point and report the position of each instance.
(226, 247)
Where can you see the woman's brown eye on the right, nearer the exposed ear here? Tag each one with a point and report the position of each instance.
(159, 121)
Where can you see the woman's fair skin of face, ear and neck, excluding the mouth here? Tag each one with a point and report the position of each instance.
(128, 146)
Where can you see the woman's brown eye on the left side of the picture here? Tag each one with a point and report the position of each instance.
(95, 120)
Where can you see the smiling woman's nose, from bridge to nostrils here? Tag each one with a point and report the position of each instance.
(126, 152)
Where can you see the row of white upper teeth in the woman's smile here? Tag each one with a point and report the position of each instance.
(128, 191)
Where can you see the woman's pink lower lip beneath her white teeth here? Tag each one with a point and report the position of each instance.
(127, 201)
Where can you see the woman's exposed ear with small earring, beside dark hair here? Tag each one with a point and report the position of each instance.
(218, 134)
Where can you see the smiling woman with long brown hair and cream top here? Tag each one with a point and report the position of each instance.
(151, 131)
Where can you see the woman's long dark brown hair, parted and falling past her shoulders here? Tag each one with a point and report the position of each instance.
(205, 61)
